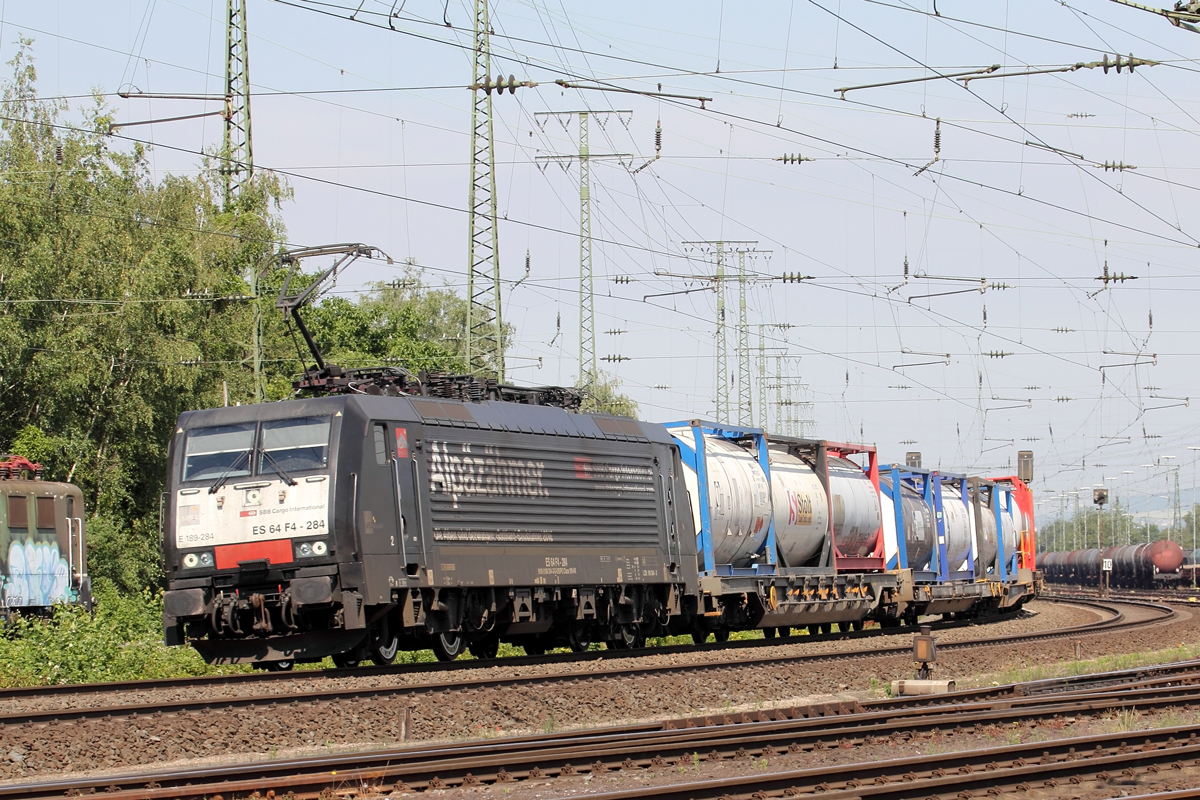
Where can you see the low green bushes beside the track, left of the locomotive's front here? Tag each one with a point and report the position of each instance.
(123, 641)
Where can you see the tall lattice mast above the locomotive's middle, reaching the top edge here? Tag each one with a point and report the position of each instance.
(485, 323)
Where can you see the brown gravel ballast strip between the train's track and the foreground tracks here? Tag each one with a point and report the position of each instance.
(267, 730)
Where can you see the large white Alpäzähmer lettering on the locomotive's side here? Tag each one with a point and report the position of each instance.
(464, 474)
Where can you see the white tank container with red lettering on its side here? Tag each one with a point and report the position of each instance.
(801, 508)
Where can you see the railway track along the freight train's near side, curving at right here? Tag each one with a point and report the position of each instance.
(127, 711)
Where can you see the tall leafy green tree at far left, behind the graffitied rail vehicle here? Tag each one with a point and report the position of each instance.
(117, 310)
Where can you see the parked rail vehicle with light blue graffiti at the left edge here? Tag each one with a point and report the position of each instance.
(44, 551)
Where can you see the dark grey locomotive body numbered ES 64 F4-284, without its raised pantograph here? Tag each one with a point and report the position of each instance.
(356, 526)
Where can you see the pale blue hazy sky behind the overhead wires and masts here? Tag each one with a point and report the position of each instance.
(951, 305)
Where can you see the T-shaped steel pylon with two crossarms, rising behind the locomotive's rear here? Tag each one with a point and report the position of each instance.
(587, 308)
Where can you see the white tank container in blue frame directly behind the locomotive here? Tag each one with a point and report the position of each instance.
(739, 500)
